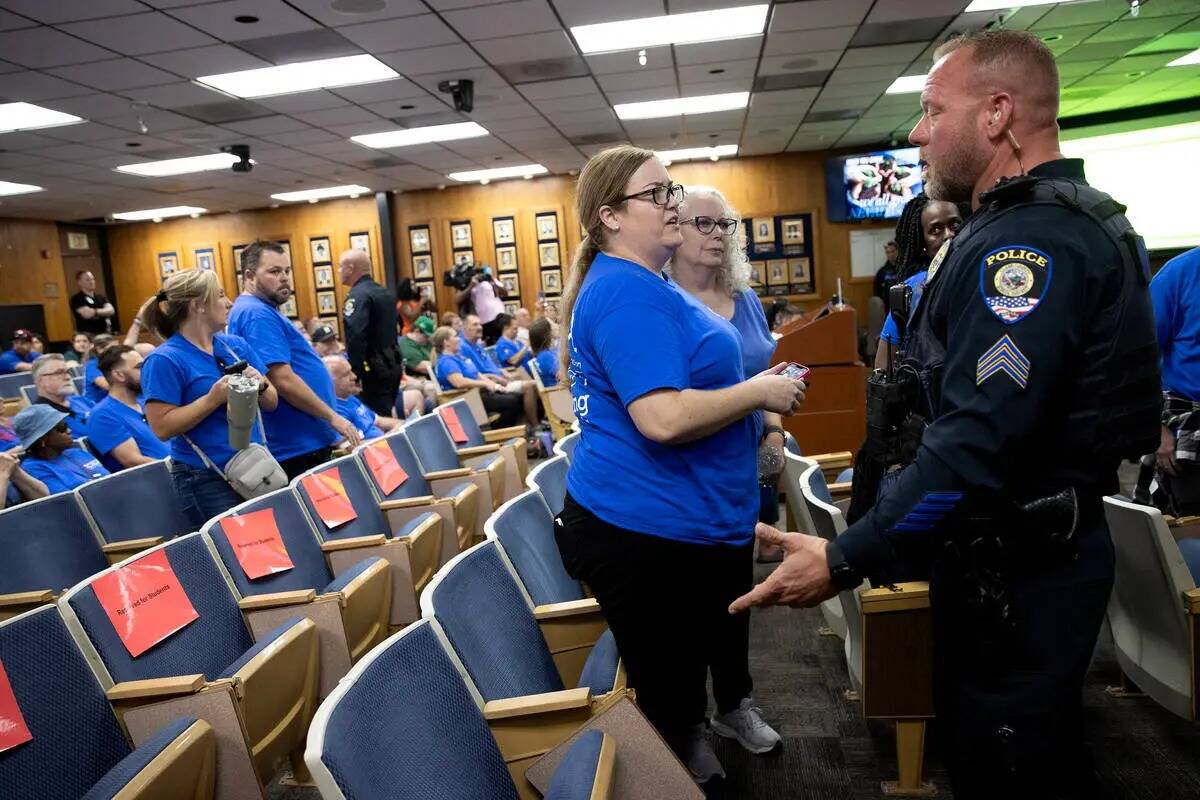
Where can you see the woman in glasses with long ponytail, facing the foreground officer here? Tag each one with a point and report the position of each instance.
(662, 490)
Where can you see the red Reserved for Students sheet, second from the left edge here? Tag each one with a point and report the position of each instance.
(145, 601)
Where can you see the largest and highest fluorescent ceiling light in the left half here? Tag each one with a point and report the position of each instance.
(303, 76)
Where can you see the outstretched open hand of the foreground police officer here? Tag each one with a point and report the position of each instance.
(802, 580)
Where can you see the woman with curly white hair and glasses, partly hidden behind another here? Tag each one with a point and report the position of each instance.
(712, 266)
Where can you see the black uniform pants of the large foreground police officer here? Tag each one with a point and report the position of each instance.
(1009, 702)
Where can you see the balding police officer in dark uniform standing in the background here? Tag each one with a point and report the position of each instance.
(370, 317)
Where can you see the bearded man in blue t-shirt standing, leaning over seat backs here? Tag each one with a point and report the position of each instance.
(305, 425)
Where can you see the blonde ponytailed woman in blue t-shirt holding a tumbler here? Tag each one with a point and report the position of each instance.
(185, 386)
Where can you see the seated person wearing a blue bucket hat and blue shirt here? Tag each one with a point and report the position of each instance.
(53, 456)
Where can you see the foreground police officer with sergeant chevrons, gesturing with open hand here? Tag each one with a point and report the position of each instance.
(1036, 351)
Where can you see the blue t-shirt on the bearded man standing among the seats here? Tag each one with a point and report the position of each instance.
(290, 431)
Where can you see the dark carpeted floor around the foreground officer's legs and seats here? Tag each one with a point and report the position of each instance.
(830, 753)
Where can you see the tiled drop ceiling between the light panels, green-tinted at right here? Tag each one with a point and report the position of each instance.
(818, 79)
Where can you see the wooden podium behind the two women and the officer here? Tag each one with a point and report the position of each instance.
(835, 414)
